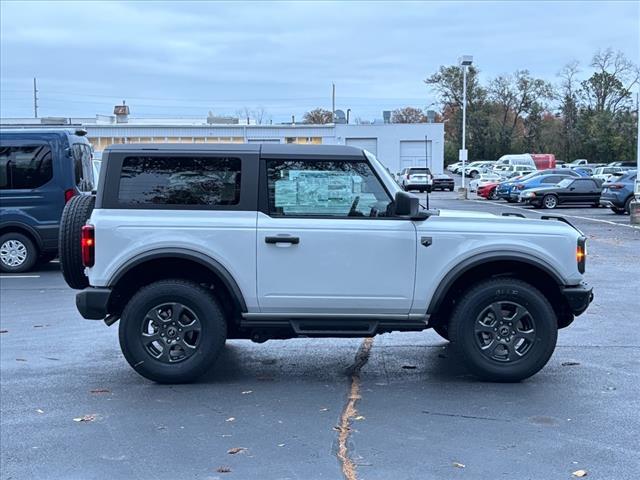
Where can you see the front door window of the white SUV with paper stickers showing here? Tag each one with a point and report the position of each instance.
(325, 188)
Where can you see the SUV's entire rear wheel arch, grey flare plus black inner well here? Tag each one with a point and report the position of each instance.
(165, 263)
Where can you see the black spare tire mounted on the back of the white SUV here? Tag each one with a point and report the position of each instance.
(74, 216)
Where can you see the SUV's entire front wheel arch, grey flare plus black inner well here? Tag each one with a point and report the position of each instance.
(527, 267)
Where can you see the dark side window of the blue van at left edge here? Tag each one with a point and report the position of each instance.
(25, 167)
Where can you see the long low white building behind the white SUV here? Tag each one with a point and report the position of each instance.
(397, 145)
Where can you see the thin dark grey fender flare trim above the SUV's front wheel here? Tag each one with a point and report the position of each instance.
(487, 257)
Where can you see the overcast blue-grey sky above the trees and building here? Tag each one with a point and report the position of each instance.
(182, 59)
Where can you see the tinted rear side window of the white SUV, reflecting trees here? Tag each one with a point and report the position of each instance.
(208, 181)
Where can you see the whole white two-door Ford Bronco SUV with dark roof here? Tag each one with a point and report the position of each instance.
(189, 245)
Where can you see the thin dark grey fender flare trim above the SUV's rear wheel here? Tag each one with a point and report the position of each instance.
(186, 254)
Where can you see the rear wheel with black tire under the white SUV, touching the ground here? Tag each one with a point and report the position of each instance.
(201, 350)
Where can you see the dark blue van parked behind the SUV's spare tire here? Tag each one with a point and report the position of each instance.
(40, 170)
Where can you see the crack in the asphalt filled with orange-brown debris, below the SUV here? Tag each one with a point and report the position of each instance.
(349, 412)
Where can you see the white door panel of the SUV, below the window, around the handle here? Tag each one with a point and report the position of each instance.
(359, 266)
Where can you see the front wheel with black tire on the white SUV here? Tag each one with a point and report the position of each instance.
(475, 337)
